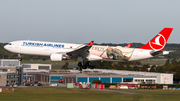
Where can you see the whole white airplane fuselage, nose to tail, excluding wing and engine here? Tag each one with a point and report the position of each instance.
(40, 48)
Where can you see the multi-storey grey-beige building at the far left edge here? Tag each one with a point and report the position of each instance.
(10, 72)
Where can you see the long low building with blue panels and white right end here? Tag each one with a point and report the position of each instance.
(106, 76)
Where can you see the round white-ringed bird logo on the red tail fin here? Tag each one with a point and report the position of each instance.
(158, 42)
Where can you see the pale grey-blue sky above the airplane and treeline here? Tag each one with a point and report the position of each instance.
(80, 21)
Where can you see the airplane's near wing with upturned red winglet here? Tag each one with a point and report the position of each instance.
(81, 51)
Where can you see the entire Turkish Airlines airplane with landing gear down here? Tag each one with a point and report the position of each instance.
(89, 52)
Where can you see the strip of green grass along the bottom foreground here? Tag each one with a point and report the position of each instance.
(63, 94)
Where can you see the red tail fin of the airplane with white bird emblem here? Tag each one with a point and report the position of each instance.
(159, 41)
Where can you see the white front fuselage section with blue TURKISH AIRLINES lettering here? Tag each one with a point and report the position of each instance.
(39, 48)
